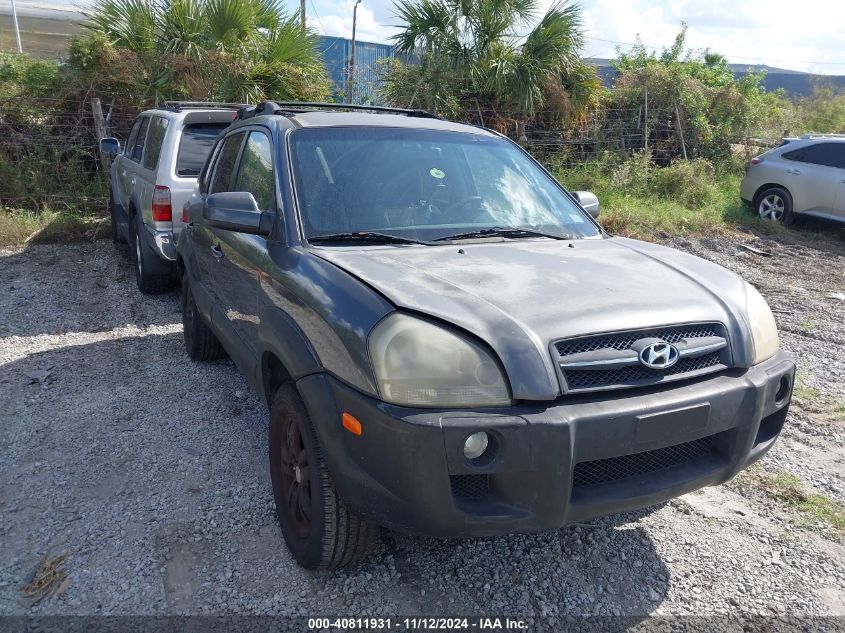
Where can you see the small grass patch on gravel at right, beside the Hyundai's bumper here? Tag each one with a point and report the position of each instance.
(790, 490)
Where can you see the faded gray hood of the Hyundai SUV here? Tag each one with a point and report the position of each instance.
(519, 296)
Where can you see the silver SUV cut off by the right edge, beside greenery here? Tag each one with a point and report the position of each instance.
(803, 176)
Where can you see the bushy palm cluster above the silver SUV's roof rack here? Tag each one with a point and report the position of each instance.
(228, 49)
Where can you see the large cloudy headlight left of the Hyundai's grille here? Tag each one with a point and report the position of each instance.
(420, 364)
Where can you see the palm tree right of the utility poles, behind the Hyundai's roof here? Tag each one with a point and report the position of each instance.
(487, 54)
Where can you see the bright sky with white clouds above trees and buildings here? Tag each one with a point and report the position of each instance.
(807, 35)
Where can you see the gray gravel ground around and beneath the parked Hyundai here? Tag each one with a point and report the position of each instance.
(150, 471)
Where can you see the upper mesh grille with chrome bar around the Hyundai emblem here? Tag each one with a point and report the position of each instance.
(582, 360)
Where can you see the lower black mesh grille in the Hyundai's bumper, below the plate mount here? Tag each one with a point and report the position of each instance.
(612, 469)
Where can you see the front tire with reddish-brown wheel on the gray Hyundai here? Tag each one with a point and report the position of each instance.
(319, 530)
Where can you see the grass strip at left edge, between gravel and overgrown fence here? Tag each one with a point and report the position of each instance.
(18, 227)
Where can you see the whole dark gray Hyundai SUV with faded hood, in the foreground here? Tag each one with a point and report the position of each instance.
(448, 342)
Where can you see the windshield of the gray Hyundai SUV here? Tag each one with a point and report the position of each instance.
(425, 185)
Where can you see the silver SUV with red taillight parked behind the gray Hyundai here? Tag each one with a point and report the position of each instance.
(153, 177)
